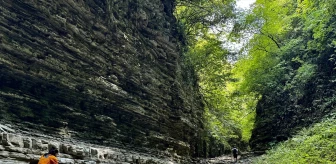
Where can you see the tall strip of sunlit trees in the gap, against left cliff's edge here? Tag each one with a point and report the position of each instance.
(229, 115)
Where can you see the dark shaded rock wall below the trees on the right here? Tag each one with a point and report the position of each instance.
(279, 117)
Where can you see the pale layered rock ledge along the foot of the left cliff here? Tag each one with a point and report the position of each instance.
(21, 148)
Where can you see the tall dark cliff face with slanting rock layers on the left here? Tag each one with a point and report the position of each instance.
(99, 71)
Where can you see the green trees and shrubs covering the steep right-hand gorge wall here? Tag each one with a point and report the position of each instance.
(290, 62)
